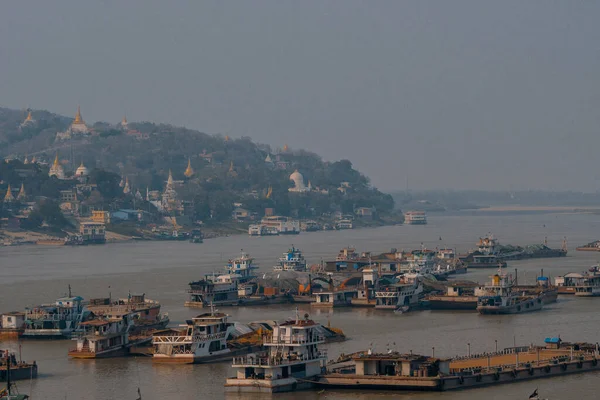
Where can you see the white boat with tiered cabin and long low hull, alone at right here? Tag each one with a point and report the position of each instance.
(502, 300)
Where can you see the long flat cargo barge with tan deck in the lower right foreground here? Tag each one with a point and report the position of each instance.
(408, 372)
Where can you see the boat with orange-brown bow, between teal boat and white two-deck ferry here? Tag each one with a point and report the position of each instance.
(107, 336)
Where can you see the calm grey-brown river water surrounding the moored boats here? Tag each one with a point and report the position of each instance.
(31, 275)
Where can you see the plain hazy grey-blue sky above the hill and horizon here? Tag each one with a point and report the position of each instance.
(447, 94)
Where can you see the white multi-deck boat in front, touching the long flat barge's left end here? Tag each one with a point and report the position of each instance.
(291, 360)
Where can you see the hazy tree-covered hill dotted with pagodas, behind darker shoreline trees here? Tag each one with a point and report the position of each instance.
(230, 170)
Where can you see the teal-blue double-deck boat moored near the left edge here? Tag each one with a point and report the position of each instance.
(55, 321)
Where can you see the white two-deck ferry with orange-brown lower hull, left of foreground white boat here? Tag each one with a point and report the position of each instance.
(202, 339)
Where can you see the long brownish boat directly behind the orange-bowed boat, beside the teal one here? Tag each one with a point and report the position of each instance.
(146, 312)
